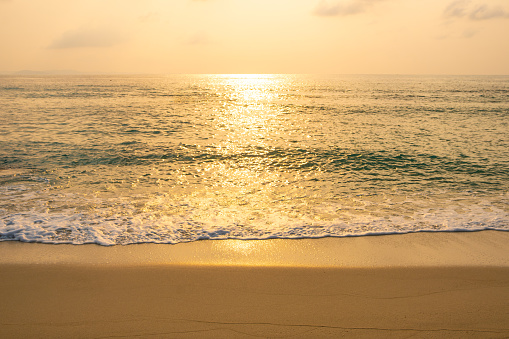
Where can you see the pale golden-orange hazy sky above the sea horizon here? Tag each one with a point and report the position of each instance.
(256, 36)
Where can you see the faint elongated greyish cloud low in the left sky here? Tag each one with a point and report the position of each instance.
(88, 37)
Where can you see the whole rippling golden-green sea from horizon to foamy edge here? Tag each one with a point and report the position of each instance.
(168, 159)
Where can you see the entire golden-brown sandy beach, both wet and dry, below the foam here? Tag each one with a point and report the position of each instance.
(425, 285)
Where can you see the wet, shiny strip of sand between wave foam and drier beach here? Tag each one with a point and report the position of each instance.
(421, 249)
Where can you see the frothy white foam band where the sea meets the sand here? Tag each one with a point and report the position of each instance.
(206, 219)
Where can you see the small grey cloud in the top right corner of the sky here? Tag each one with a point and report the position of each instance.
(462, 9)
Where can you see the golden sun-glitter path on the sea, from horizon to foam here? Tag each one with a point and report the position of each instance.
(244, 184)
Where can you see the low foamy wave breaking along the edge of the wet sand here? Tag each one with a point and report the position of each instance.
(79, 228)
